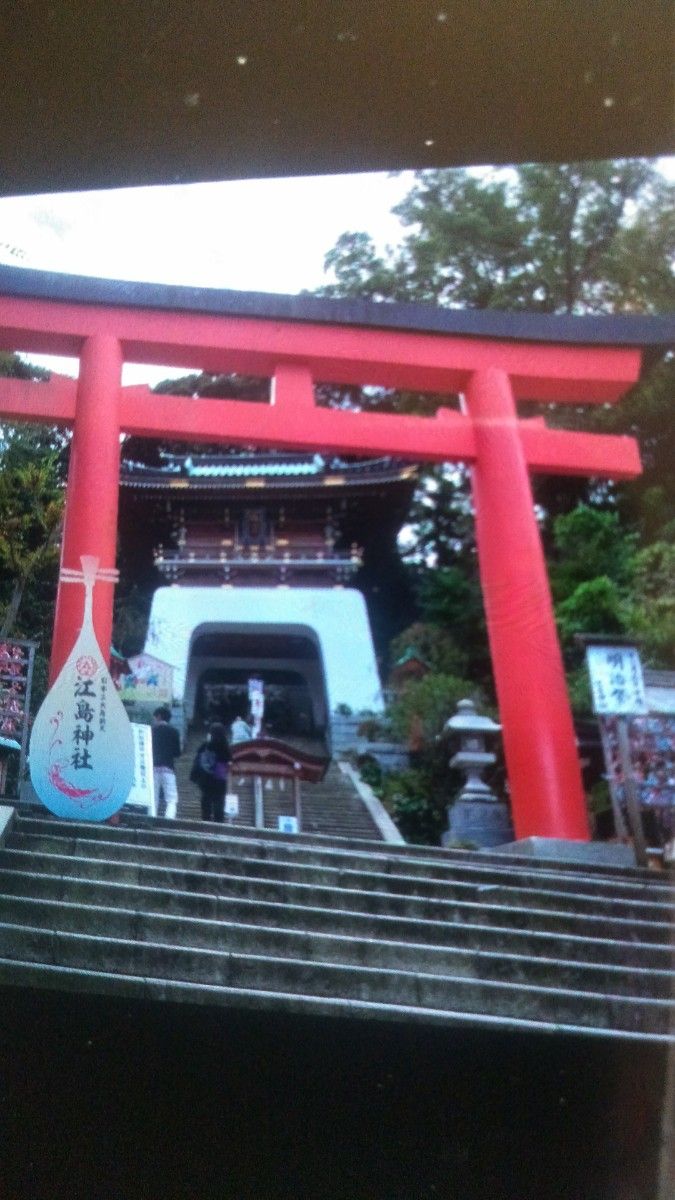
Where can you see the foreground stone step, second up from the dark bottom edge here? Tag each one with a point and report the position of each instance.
(134, 926)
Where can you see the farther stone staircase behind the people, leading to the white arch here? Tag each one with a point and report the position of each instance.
(332, 808)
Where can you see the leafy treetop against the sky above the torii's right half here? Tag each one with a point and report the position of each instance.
(586, 237)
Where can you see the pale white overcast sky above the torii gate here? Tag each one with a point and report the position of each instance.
(255, 236)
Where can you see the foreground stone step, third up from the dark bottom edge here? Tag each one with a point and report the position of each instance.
(313, 919)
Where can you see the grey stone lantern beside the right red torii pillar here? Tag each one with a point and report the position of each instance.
(477, 817)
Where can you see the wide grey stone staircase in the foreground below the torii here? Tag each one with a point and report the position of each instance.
(244, 919)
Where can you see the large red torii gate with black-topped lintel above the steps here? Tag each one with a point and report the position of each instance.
(297, 343)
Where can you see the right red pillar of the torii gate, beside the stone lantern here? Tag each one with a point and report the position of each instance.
(539, 733)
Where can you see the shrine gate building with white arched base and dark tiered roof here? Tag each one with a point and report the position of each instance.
(295, 529)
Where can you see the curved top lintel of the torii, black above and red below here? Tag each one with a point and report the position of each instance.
(548, 358)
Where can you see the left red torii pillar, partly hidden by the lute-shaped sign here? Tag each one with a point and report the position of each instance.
(92, 509)
